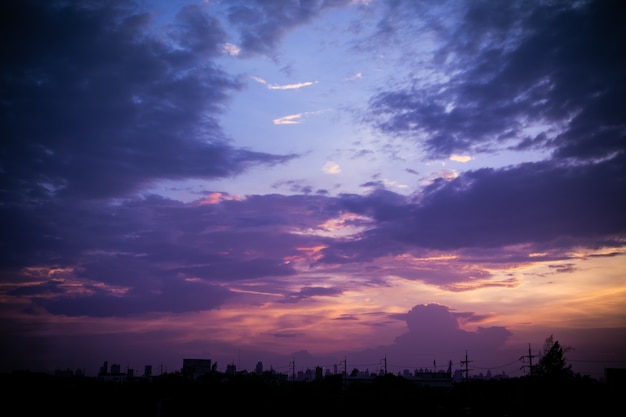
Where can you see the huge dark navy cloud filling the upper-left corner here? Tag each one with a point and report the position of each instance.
(96, 105)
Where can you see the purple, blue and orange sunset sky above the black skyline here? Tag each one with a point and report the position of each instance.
(312, 183)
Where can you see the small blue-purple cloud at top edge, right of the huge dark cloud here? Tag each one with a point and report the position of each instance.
(263, 23)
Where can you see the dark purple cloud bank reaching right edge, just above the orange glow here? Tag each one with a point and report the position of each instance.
(540, 204)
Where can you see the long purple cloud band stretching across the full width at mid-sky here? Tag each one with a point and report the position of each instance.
(137, 249)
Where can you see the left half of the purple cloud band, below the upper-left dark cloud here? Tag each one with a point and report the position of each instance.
(150, 254)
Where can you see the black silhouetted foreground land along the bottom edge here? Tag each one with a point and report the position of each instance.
(33, 394)
